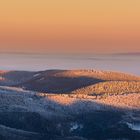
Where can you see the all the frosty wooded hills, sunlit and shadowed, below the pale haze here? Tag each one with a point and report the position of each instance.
(29, 111)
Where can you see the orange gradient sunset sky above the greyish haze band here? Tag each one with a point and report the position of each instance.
(70, 26)
